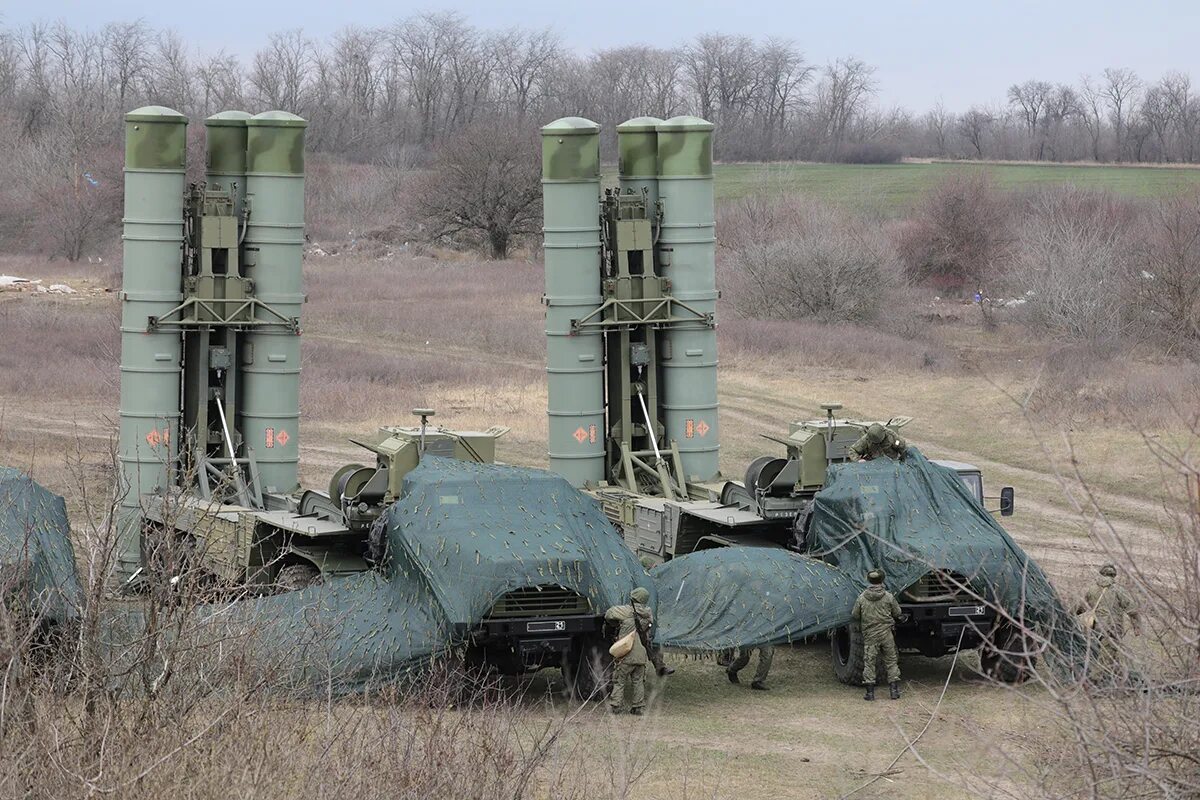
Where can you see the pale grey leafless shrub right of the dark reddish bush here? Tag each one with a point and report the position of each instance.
(1071, 258)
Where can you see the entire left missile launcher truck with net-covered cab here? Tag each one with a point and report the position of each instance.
(209, 447)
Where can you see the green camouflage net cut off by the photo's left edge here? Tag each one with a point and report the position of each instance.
(37, 558)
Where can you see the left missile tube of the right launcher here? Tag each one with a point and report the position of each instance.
(571, 184)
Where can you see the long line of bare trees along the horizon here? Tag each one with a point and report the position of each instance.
(394, 93)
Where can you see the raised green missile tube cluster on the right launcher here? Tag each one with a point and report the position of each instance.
(632, 305)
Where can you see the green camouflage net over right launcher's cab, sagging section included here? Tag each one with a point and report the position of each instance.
(907, 518)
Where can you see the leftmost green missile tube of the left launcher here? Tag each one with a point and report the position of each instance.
(155, 161)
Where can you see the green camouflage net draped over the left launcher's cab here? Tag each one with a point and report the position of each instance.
(463, 537)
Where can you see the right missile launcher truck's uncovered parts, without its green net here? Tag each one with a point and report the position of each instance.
(632, 368)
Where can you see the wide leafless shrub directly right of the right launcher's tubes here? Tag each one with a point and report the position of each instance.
(797, 260)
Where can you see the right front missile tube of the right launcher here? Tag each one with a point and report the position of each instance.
(688, 236)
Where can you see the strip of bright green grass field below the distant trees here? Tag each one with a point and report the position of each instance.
(891, 189)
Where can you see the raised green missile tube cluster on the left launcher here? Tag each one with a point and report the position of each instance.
(211, 315)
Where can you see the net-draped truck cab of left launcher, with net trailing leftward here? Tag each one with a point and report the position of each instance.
(478, 564)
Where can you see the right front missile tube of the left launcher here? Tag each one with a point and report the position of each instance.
(274, 246)
